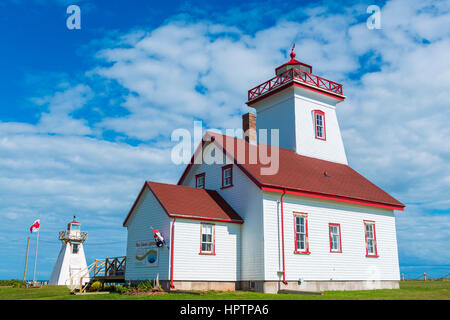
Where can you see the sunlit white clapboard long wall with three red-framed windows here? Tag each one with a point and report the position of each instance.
(321, 265)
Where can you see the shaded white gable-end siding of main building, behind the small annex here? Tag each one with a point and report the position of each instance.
(246, 199)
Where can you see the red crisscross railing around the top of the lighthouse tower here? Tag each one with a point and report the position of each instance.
(294, 75)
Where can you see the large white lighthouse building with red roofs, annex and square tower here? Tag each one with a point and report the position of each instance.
(312, 224)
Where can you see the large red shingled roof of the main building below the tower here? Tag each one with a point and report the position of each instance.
(308, 176)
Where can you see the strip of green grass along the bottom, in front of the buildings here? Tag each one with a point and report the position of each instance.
(415, 290)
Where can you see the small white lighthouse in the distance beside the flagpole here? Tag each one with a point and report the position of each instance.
(71, 259)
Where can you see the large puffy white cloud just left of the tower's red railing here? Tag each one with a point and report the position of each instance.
(180, 72)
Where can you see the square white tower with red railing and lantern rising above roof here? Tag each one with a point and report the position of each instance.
(303, 107)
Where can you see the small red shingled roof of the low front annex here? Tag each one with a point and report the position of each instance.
(190, 203)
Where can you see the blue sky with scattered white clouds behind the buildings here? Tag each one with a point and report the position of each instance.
(86, 115)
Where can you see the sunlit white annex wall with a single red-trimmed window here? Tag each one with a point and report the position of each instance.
(190, 265)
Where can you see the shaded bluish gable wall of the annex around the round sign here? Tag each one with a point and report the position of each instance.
(148, 212)
